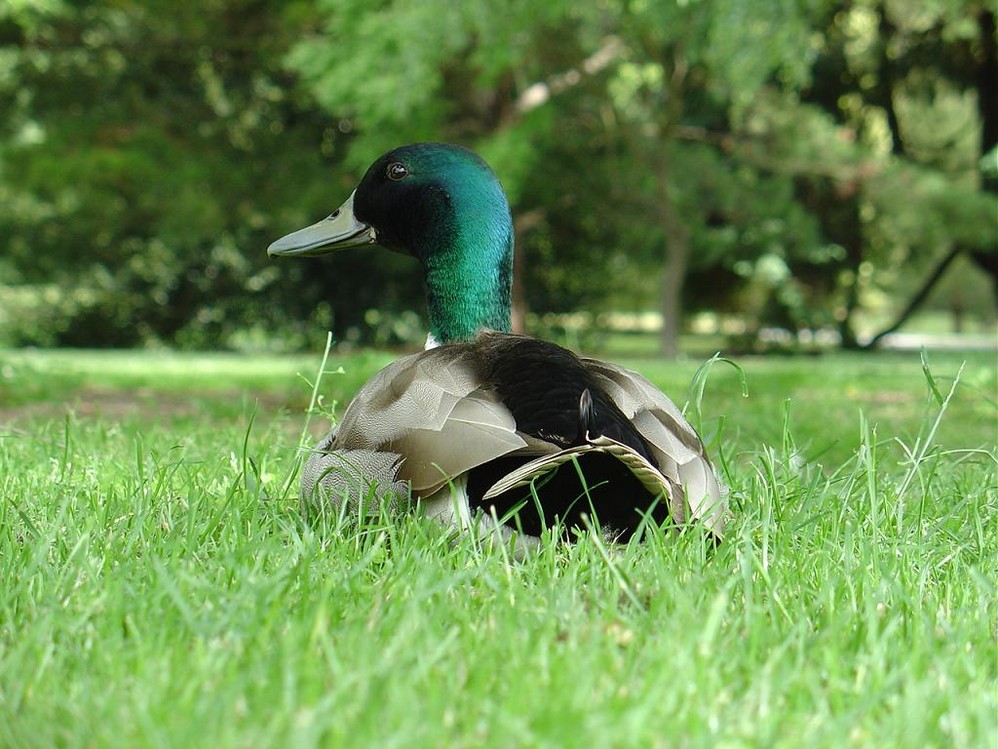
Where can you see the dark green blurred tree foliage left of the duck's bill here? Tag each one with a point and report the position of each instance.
(144, 146)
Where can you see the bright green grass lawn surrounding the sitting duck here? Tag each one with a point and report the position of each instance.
(160, 589)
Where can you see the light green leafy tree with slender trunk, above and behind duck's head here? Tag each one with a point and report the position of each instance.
(464, 71)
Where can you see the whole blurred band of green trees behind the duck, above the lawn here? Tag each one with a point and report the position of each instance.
(782, 174)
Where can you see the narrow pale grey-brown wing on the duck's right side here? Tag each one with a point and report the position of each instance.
(677, 448)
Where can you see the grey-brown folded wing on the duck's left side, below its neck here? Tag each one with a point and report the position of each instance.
(432, 411)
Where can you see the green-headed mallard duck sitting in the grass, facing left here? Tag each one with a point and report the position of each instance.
(485, 430)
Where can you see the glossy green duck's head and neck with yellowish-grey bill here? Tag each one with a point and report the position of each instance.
(443, 205)
